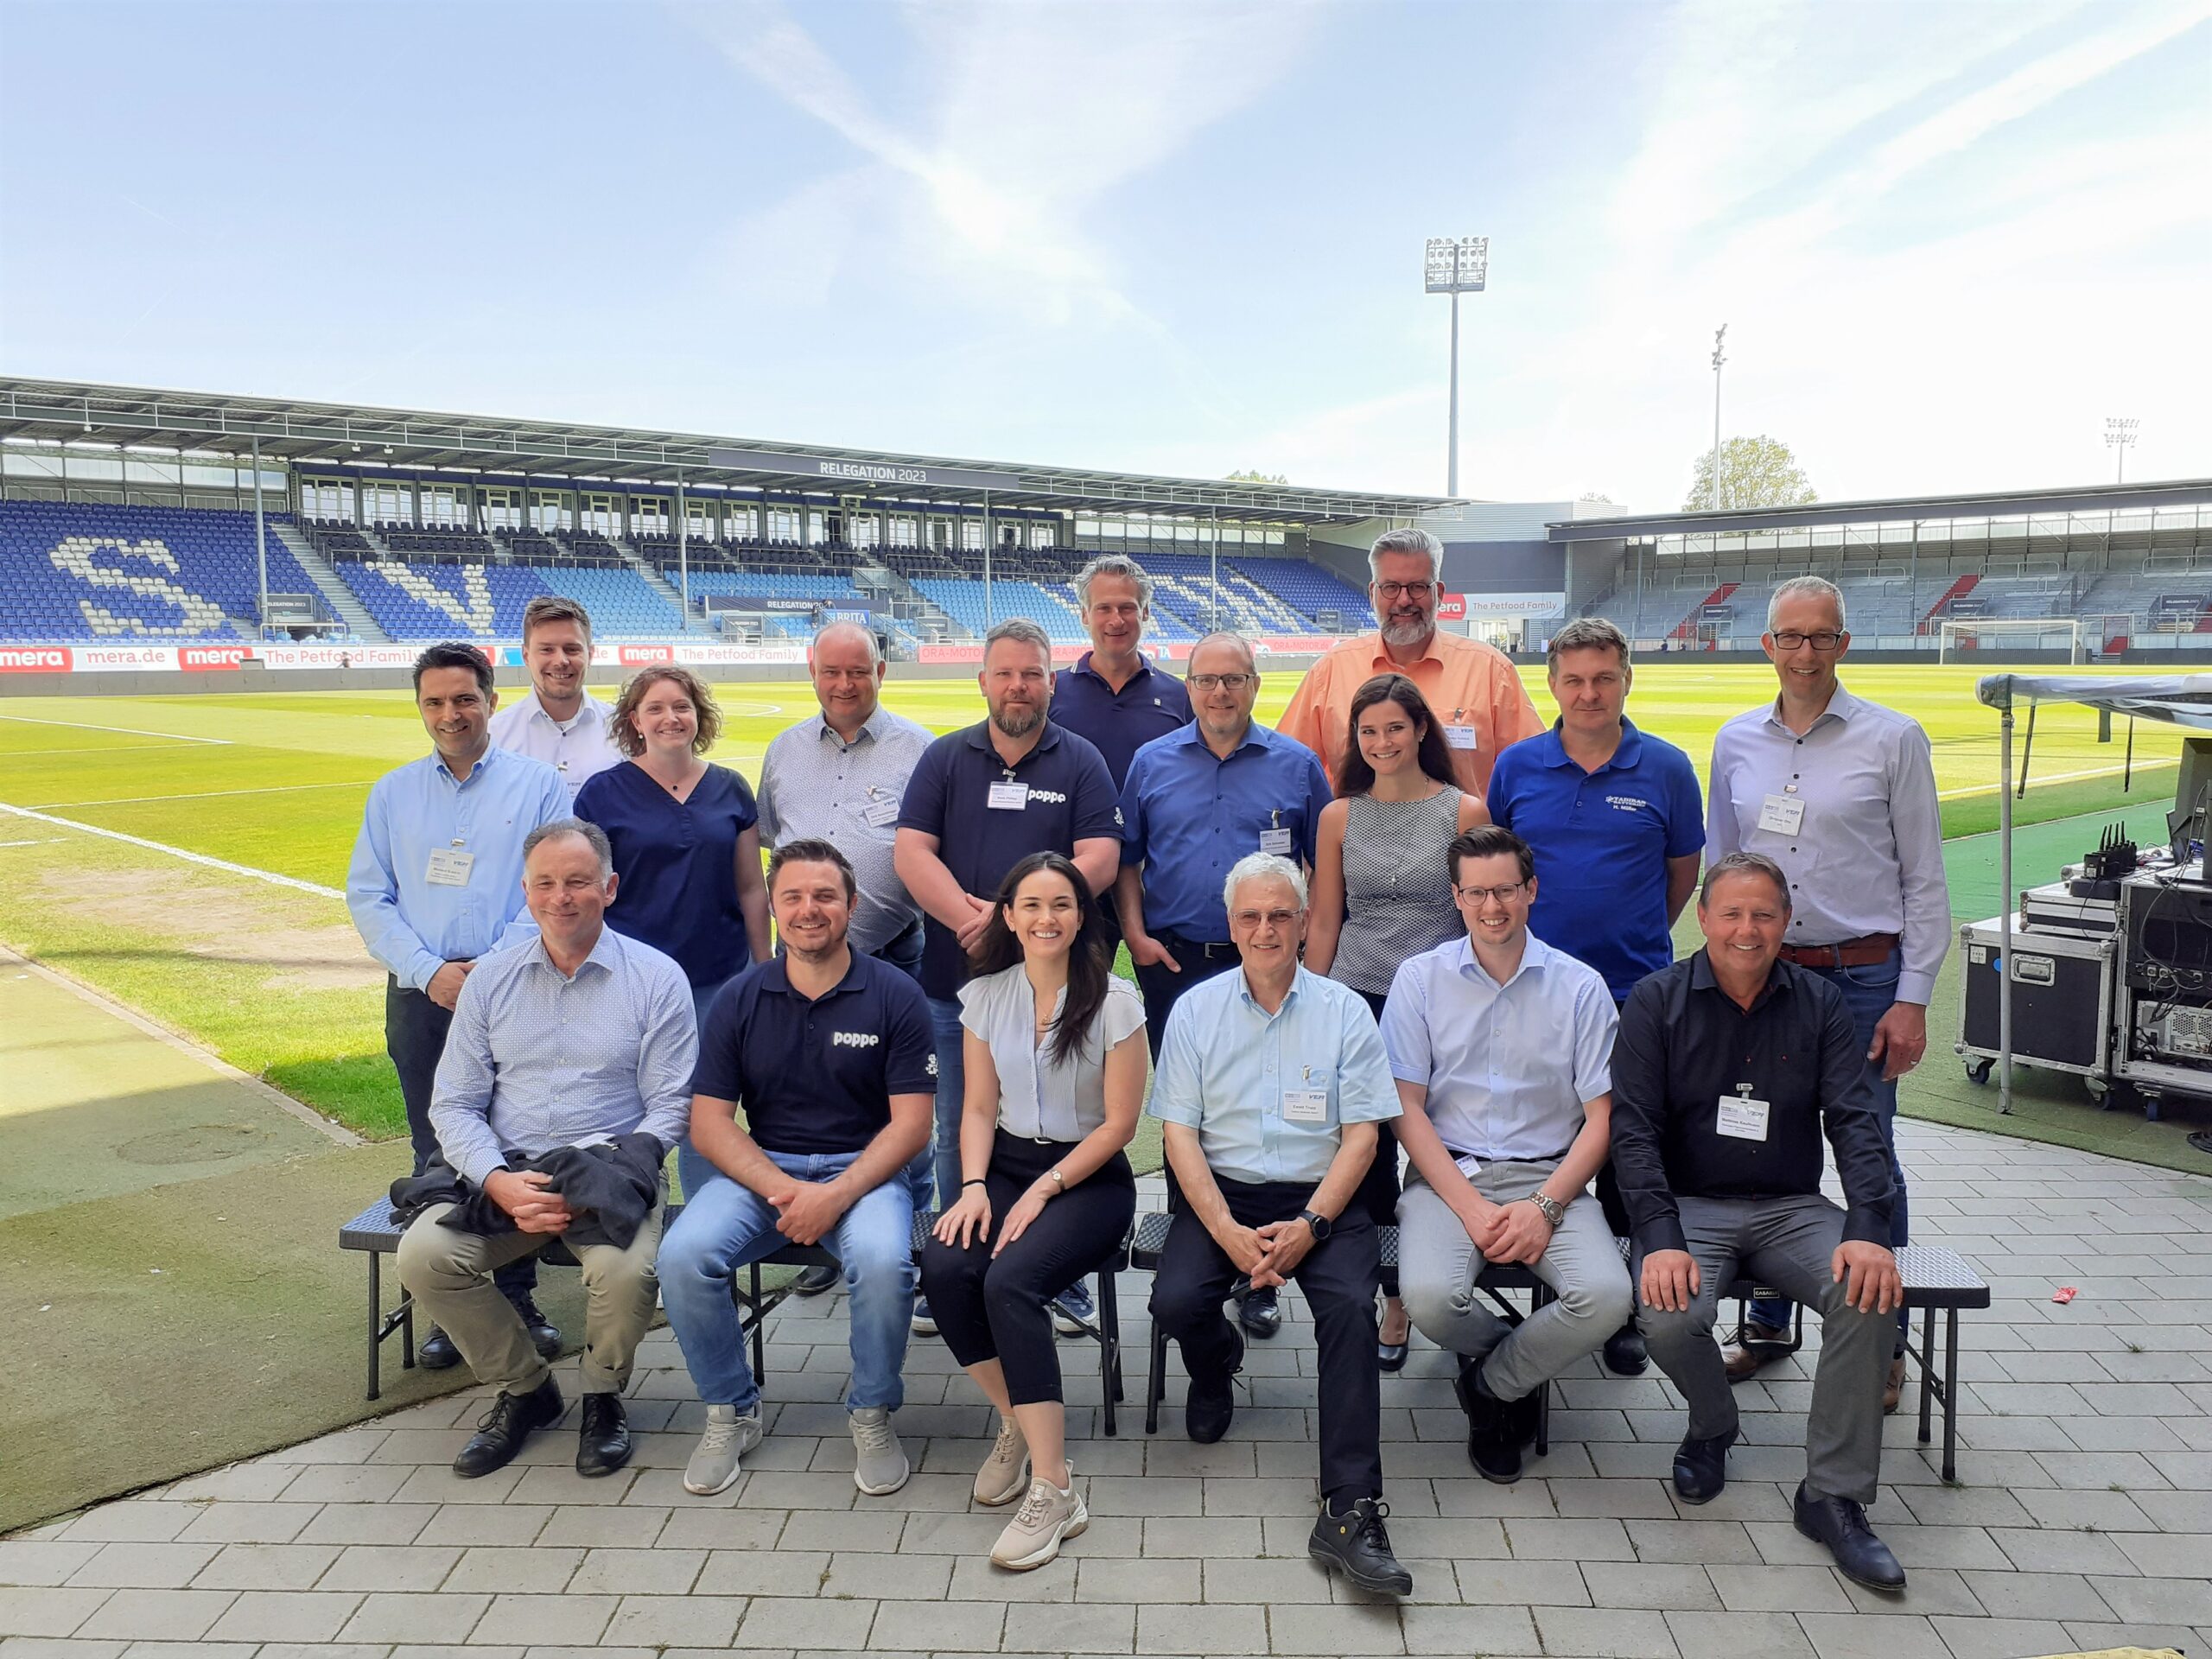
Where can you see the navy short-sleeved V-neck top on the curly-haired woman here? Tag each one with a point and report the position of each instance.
(678, 864)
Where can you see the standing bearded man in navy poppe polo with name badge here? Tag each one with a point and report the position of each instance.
(983, 800)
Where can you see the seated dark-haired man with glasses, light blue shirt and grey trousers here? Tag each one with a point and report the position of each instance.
(1503, 1052)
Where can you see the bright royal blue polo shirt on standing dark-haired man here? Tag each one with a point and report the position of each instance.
(1603, 842)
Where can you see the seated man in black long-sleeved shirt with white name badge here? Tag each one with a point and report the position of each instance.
(1726, 1074)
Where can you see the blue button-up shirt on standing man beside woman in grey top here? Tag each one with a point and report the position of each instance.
(1189, 815)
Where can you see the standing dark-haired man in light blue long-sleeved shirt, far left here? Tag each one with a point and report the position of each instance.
(437, 877)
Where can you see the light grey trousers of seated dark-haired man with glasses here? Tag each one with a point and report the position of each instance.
(1439, 1266)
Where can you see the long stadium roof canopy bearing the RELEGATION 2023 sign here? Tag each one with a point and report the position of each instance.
(421, 439)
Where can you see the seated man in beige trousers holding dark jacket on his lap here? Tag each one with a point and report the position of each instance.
(563, 1087)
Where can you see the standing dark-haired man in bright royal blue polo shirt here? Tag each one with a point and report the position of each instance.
(1618, 826)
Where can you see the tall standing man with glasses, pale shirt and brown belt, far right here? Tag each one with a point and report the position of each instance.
(1841, 795)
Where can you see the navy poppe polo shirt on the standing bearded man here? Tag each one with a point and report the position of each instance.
(950, 797)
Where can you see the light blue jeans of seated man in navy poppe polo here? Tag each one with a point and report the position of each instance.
(727, 1227)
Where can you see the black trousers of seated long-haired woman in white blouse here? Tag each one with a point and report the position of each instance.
(997, 1308)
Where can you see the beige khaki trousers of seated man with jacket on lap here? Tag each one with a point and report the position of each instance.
(450, 1275)
